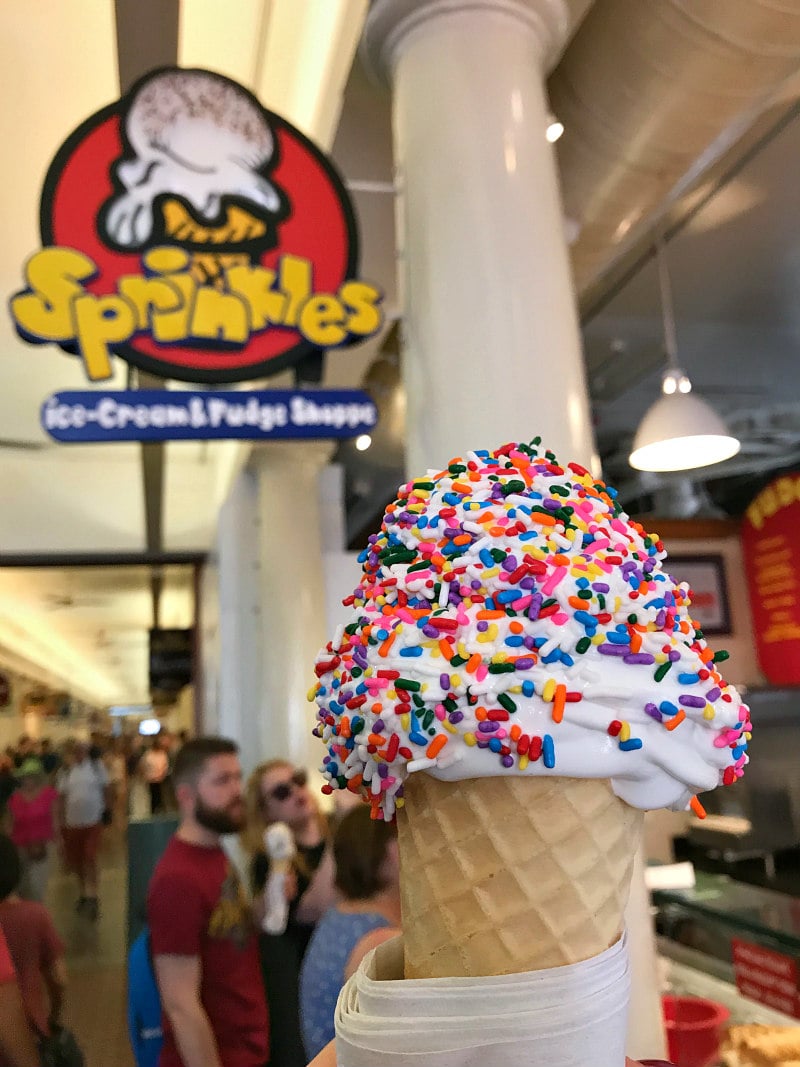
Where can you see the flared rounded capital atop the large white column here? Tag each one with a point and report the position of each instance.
(391, 22)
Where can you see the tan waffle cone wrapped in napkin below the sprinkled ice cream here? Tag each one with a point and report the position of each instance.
(511, 874)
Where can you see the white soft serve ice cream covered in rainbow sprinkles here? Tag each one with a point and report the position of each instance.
(513, 620)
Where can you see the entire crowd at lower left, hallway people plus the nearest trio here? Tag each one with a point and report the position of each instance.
(231, 993)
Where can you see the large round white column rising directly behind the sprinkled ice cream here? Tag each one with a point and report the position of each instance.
(491, 340)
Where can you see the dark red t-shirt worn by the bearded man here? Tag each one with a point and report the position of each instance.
(197, 907)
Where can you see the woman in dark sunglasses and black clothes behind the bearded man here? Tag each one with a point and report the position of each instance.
(278, 793)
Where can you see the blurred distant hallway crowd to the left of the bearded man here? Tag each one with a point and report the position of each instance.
(55, 803)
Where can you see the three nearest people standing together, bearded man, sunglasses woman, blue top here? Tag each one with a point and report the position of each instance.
(232, 993)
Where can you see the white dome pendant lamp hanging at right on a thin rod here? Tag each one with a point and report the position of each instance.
(681, 432)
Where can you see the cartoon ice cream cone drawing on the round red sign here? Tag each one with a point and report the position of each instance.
(200, 149)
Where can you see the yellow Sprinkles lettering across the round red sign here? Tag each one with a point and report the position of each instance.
(170, 305)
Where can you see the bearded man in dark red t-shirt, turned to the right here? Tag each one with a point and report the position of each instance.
(203, 939)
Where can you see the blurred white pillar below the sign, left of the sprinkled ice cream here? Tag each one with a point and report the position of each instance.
(264, 604)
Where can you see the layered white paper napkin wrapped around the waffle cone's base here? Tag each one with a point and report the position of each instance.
(571, 1016)
